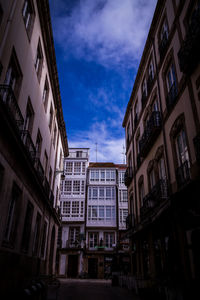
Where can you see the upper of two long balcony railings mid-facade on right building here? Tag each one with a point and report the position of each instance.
(150, 133)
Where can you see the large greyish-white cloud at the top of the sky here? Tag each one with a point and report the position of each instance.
(109, 32)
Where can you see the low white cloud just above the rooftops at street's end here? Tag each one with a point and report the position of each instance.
(109, 149)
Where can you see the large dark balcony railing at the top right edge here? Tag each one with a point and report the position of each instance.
(189, 52)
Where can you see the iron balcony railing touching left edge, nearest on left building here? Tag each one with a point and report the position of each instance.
(7, 96)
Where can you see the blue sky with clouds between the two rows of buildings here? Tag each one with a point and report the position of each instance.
(98, 44)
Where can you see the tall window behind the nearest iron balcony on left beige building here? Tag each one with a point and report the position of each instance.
(14, 75)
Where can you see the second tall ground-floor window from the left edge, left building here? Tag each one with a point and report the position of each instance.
(27, 227)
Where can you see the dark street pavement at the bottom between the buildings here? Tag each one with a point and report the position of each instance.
(86, 289)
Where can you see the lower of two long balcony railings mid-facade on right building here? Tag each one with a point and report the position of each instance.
(158, 193)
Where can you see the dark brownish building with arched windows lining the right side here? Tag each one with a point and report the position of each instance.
(162, 148)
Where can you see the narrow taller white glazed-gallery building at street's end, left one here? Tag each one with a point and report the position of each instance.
(72, 198)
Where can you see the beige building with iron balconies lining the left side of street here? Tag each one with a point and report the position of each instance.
(33, 143)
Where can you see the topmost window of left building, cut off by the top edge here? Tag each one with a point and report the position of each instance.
(28, 16)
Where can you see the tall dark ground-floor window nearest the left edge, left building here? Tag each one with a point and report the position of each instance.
(12, 217)
